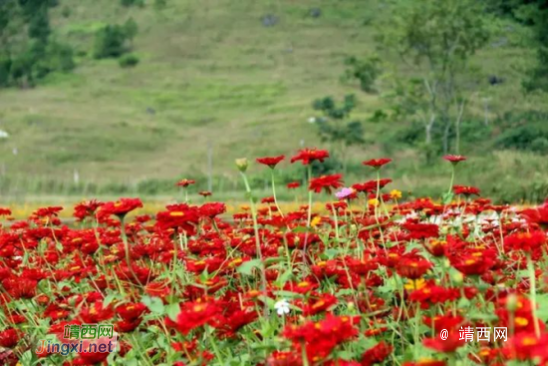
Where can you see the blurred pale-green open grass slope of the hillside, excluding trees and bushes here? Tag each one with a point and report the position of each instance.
(211, 74)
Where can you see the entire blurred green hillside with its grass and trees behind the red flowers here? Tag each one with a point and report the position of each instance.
(104, 98)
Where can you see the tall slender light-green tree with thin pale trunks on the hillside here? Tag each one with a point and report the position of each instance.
(436, 38)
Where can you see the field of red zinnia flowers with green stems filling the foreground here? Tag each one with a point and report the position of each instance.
(369, 279)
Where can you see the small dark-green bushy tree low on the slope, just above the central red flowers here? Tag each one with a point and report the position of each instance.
(335, 126)
